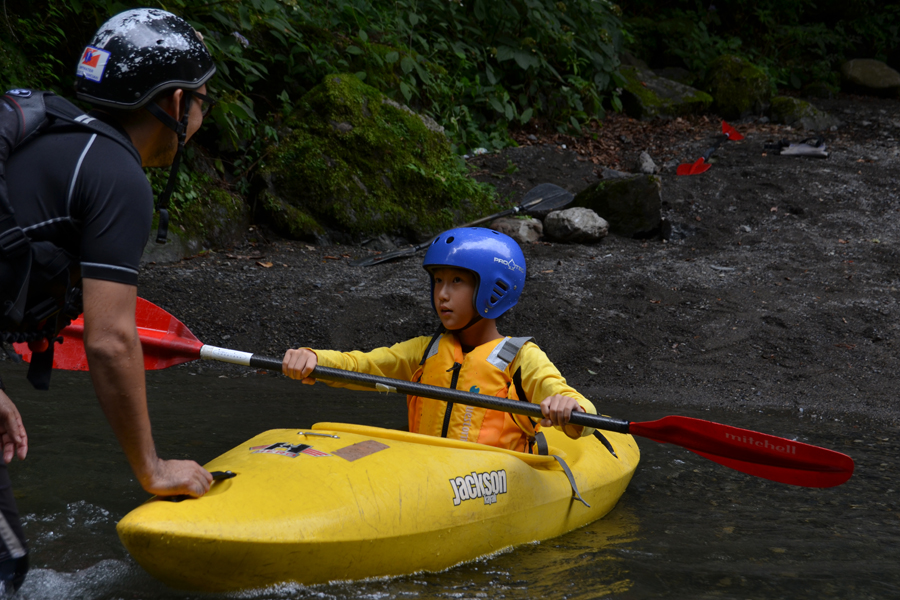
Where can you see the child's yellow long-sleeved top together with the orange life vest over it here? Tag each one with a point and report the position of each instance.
(506, 368)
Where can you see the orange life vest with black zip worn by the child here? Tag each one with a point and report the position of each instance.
(484, 370)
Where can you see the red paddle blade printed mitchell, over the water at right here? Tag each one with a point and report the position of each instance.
(751, 452)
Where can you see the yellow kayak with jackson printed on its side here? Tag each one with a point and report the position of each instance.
(344, 502)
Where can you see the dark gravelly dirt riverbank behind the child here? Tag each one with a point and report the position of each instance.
(779, 288)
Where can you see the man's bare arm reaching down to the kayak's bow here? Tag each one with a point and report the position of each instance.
(117, 370)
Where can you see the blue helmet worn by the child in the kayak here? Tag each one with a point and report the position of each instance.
(494, 257)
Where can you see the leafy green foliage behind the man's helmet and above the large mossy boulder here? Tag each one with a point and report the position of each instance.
(476, 67)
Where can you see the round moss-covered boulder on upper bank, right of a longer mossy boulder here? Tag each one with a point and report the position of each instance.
(738, 87)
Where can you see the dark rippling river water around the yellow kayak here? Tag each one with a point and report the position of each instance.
(685, 528)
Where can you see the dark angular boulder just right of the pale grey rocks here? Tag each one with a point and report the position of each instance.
(630, 205)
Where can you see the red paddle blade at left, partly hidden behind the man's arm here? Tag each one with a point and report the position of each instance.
(165, 340)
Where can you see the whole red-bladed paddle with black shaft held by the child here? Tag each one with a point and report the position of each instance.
(166, 342)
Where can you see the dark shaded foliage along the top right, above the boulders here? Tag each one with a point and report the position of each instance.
(795, 41)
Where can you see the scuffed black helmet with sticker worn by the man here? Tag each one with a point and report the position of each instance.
(139, 53)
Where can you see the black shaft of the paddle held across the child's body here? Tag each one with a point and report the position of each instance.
(386, 384)
